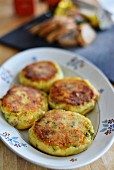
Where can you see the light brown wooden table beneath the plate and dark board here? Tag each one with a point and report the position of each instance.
(8, 159)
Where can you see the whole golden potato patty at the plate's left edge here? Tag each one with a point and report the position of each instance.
(23, 105)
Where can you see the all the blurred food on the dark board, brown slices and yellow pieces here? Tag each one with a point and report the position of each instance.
(73, 23)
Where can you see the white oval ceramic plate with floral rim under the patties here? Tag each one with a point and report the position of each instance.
(102, 116)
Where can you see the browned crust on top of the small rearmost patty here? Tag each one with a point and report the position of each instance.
(43, 70)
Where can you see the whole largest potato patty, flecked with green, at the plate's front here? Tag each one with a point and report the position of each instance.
(62, 133)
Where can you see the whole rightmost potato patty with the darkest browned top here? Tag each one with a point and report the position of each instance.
(74, 94)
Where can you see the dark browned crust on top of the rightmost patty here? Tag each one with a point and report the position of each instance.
(71, 91)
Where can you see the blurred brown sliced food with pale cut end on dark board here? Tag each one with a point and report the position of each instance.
(65, 31)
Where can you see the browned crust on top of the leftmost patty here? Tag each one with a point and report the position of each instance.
(22, 98)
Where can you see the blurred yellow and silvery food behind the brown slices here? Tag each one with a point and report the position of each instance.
(97, 17)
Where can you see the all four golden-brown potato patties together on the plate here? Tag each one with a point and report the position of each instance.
(63, 131)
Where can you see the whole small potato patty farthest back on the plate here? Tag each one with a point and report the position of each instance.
(41, 75)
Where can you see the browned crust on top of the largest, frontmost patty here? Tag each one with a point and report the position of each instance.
(62, 128)
